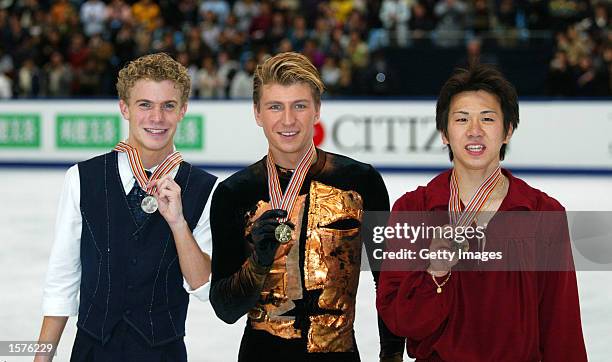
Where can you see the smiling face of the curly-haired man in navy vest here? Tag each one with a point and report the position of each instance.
(153, 110)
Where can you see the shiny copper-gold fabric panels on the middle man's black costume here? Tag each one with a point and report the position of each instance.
(332, 262)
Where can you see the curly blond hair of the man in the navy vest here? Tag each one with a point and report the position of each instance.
(156, 67)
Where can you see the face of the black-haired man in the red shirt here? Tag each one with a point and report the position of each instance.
(475, 131)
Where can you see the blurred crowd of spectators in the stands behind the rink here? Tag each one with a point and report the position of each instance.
(70, 48)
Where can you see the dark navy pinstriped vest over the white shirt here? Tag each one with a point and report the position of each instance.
(132, 272)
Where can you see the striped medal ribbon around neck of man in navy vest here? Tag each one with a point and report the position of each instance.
(164, 168)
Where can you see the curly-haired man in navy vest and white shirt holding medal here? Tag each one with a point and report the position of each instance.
(132, 235)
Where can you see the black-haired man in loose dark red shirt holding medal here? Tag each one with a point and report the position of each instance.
(449, 313)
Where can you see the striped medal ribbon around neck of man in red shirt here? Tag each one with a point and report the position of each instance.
(466, 217)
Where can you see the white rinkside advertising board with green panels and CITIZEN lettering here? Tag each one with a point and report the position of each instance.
(574, 136)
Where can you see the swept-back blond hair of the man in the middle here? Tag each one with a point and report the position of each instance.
(286, 69)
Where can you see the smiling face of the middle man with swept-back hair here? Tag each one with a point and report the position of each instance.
(287, 115)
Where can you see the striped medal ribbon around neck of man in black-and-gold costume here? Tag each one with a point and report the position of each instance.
(287, 201)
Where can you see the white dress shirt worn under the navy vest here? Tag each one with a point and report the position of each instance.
(60, 295)
